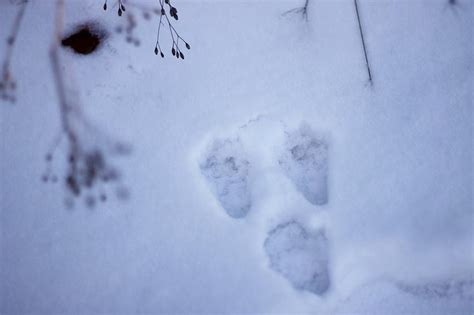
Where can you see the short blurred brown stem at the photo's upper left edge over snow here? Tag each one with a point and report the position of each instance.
(7, 82)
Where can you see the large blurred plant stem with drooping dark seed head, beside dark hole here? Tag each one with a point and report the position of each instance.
(88, 167)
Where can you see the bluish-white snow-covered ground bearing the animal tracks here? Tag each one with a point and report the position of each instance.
(266, 176)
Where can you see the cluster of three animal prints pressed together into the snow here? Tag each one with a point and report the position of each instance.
(295, 252)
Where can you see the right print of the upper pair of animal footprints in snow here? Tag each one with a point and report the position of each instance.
(305, 162)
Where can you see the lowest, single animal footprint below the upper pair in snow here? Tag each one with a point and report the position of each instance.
(300, 256)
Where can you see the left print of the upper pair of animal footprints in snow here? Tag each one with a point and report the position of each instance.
(226, 169)
